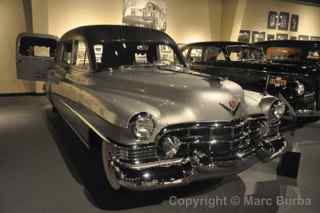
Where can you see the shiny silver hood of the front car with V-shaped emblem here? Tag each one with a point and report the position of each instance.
(170, 97)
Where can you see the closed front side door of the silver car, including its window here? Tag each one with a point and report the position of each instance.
(69, 91)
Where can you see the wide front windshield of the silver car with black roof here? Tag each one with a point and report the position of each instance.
(120, 54)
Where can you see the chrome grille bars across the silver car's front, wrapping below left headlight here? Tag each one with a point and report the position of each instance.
(231, 136)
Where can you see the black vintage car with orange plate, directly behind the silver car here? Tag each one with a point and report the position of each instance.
(296, 83)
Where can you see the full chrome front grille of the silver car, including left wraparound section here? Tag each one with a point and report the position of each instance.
(217, 139)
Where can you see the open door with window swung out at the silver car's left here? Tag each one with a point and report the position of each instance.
(35, 56)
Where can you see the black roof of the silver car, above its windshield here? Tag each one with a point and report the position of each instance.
(112, 33)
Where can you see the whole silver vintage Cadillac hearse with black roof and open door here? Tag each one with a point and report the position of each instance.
(127, 91)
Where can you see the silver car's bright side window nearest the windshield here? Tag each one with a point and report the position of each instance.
(81, 54)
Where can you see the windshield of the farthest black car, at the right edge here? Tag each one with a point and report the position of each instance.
(292, 54)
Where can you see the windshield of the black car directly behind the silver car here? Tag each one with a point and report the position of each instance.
(244, 53)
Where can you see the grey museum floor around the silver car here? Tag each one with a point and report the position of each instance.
(35, 178)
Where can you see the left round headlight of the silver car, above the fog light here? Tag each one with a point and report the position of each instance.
(142, 126)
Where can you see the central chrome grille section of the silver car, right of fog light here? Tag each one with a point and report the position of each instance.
(214, 139)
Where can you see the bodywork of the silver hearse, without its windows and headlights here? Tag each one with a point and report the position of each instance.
(179, 101)
